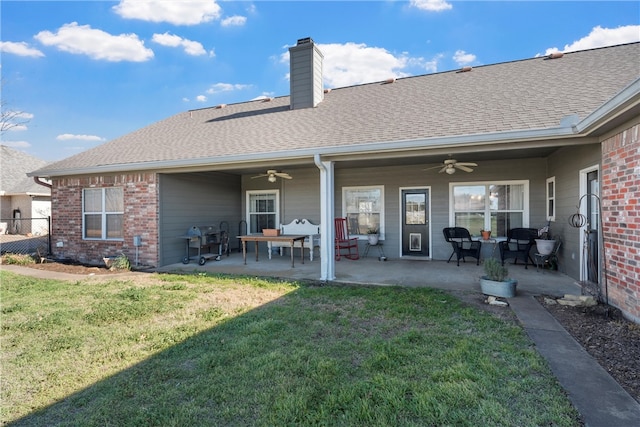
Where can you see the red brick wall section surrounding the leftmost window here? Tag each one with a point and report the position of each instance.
(140, 219)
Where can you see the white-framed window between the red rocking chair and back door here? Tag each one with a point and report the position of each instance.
(364, 209)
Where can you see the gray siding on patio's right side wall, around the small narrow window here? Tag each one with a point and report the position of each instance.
(565, 164)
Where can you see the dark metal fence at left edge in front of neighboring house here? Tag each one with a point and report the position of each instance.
(25, 236)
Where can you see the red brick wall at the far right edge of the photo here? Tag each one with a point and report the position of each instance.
(621, 219)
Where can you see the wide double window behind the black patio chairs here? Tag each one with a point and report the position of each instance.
(490, 206)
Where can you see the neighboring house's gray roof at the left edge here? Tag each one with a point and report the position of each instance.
(14, 166)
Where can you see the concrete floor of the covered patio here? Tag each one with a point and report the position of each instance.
(396, 272)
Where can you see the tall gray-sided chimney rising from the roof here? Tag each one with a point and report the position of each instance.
(305, 74)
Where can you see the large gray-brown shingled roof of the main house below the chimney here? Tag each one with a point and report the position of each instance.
(489, 102)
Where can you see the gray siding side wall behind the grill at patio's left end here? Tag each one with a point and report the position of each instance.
(191, 199)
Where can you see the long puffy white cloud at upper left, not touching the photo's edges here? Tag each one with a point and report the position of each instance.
(97, 44)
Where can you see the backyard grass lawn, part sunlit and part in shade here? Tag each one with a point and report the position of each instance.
(202, 350)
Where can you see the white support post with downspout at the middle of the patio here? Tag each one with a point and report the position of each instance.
(327, 249)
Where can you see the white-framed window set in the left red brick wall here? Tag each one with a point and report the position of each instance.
(103, 213)
